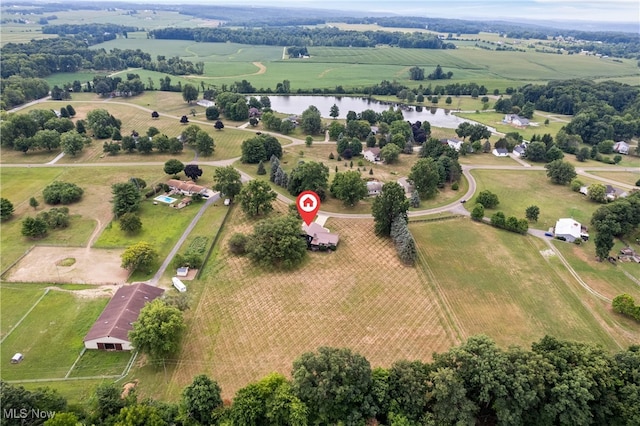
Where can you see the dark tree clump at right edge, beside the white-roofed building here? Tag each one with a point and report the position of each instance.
(616, 219)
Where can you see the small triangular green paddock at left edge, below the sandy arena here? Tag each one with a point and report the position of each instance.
(15, 301)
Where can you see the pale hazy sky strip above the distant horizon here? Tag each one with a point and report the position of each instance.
(551, 10)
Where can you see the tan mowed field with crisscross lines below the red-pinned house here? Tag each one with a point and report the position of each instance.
(250, 322)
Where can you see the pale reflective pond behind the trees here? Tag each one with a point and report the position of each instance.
(437, 117)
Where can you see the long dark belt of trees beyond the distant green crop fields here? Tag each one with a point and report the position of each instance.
(300, 36)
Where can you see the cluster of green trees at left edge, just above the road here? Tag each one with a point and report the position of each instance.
(43, 130)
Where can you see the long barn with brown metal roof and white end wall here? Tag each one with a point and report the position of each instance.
(111, 329)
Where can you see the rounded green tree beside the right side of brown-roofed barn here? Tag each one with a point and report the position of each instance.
(158, 330)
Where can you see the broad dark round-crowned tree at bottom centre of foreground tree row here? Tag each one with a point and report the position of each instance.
(336, 385)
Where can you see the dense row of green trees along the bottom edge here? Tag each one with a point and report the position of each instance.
(553, 382)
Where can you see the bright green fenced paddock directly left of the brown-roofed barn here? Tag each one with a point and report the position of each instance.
(60, 320)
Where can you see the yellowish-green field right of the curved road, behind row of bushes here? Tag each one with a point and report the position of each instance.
(519, 189)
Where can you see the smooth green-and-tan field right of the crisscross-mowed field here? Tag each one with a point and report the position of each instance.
(497, 283)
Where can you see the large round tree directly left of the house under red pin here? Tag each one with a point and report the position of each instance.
(276, 242)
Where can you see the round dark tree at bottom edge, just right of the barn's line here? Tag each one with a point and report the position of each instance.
(201, 399)
